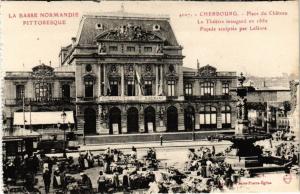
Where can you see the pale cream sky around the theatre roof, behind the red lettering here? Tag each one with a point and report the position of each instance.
(269, 52)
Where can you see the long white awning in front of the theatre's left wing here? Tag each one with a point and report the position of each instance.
(42, 118)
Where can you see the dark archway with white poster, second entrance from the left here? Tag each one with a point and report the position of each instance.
(114, 121)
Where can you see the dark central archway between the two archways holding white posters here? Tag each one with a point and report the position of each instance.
(132, 120)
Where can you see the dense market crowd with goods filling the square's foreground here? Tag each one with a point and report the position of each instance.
(204, 171)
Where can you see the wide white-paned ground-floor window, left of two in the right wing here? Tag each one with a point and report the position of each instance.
(208, 117)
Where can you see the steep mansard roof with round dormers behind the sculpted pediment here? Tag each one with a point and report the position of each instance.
(93, 25)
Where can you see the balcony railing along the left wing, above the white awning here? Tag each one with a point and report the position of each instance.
(38, 101)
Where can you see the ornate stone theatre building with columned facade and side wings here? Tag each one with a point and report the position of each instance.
(125, 73)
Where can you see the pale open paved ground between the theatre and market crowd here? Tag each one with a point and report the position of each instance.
(170, 154)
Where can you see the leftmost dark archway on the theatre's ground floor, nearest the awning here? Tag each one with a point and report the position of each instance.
(89, 121)
